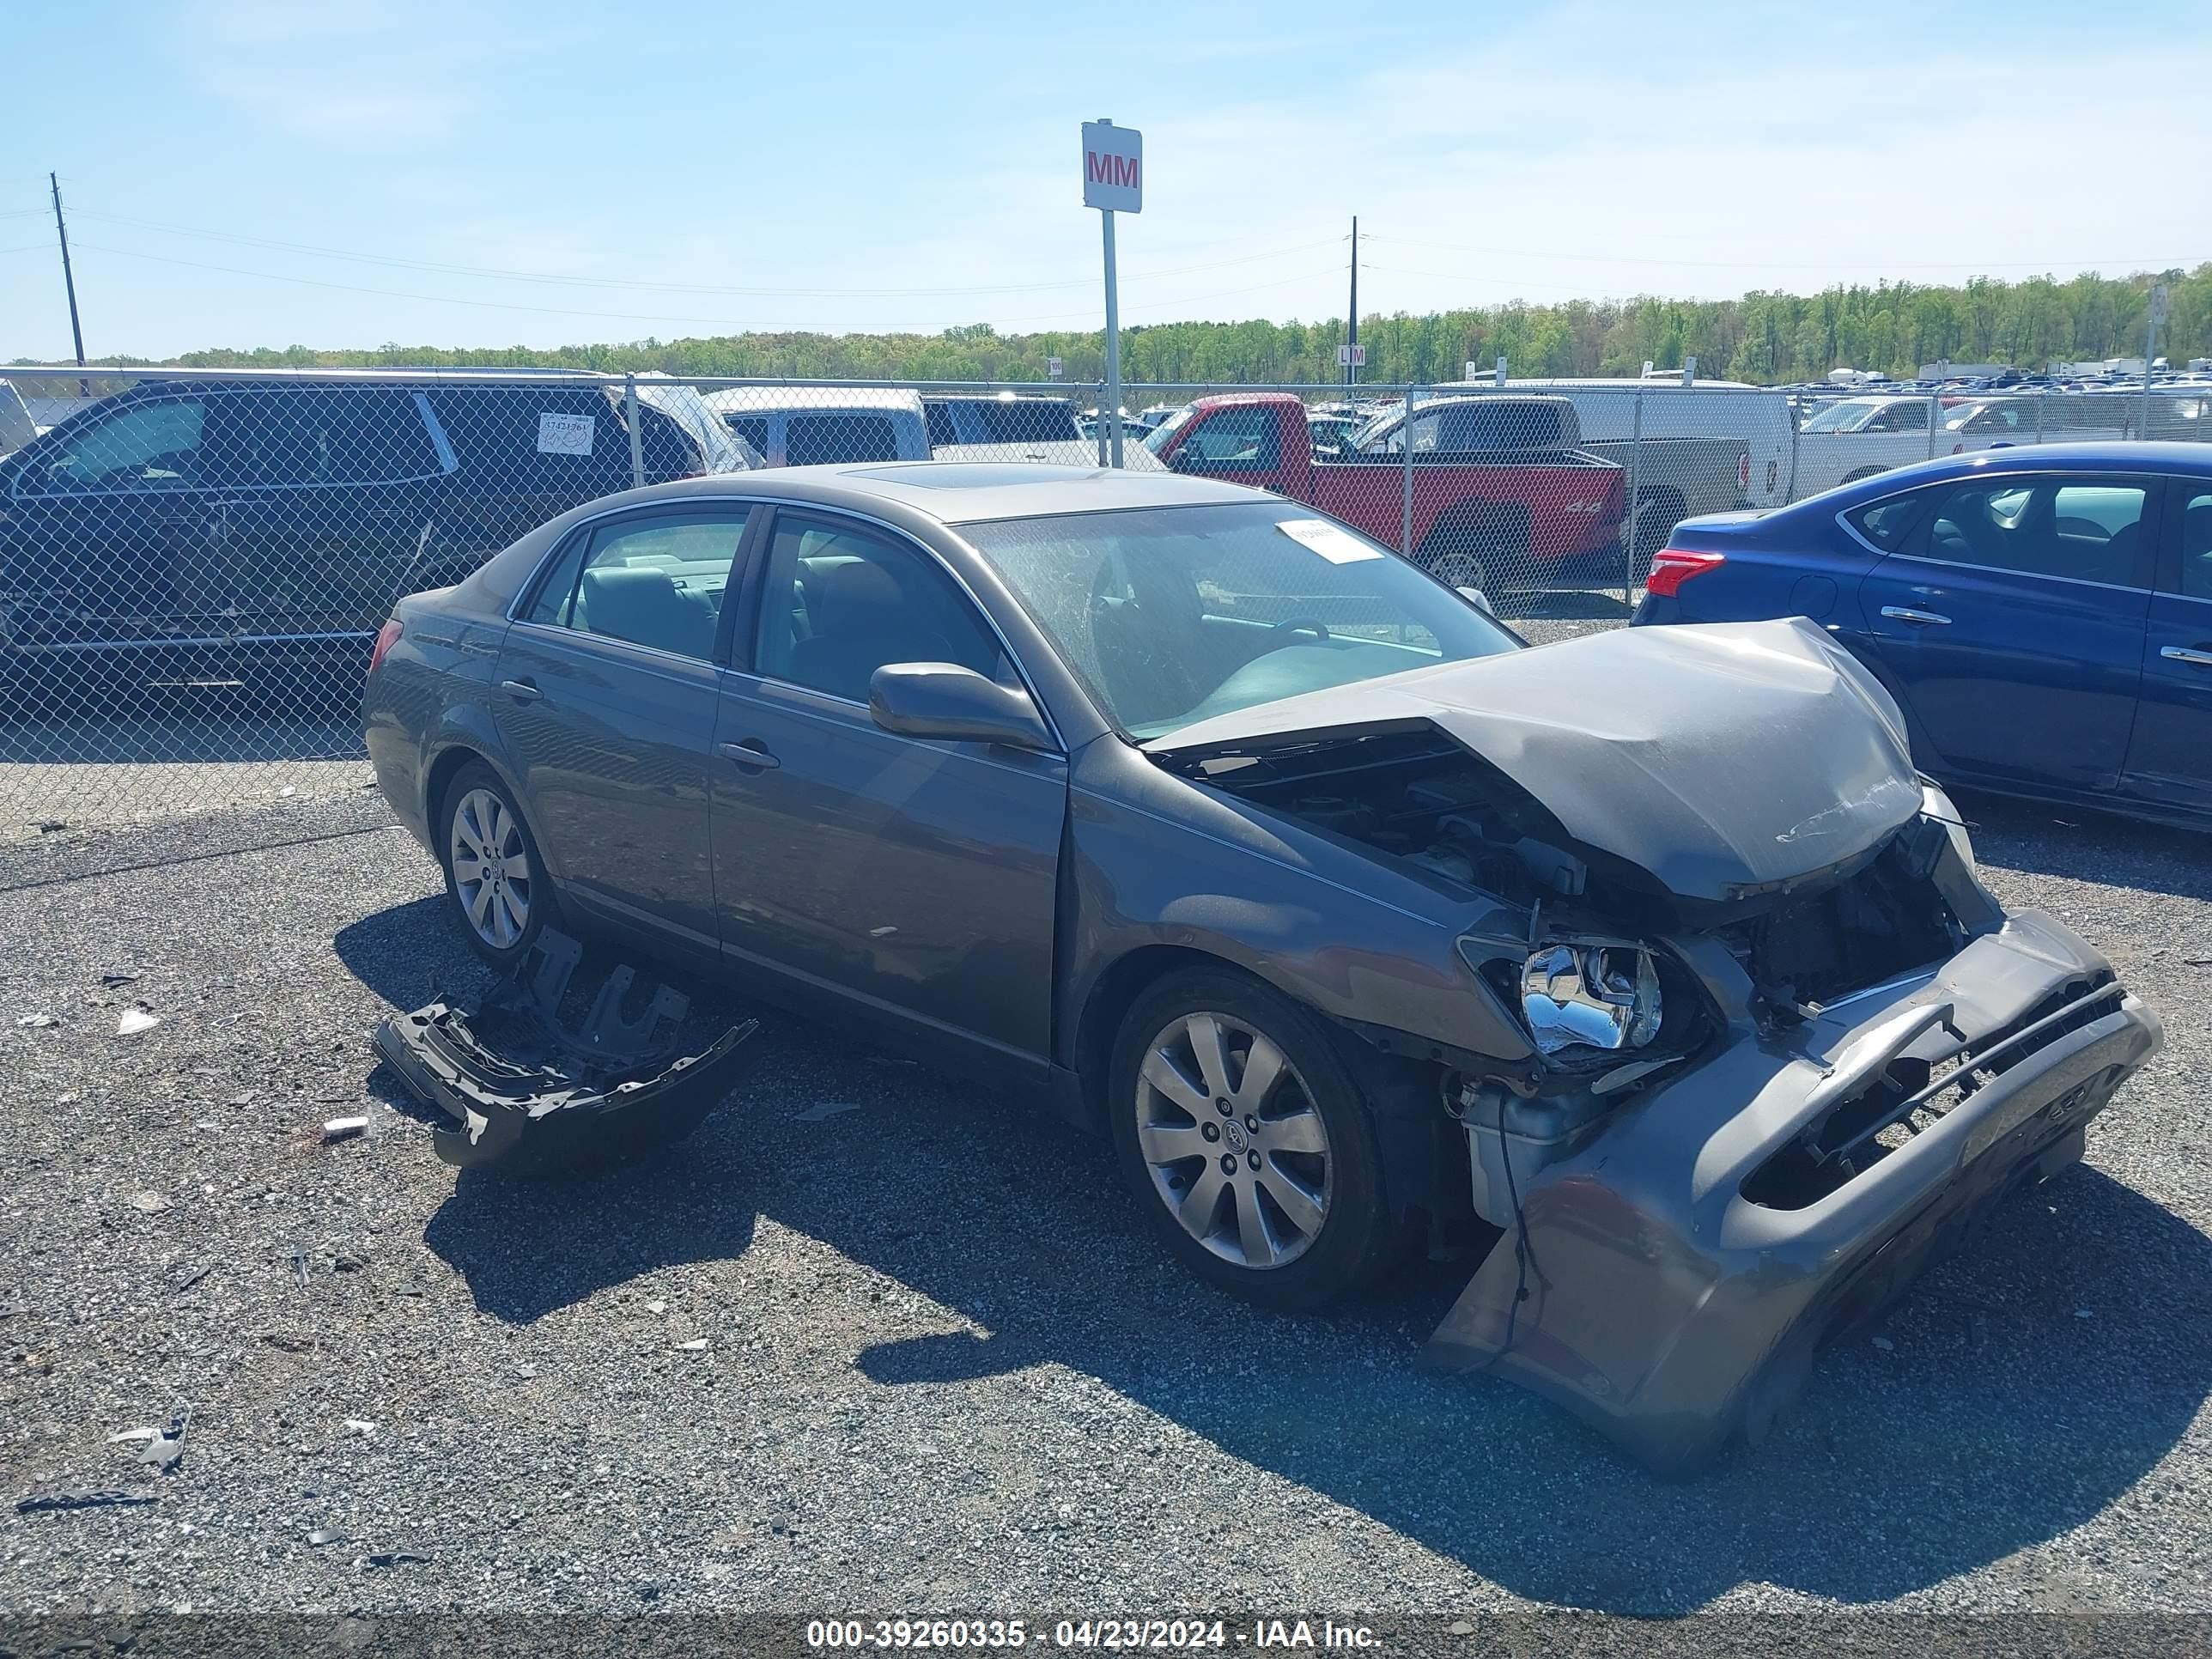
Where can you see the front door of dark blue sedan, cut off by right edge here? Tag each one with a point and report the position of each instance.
(2171, 758)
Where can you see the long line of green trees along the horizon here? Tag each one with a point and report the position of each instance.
(1766, 337)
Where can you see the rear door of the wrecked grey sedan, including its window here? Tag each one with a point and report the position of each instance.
(607, 705)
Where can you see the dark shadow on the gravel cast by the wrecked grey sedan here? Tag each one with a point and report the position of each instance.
(2014, 1397)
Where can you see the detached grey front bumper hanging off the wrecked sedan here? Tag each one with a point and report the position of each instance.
(1671, 1288)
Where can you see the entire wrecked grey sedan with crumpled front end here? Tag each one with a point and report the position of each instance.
(1645, 963)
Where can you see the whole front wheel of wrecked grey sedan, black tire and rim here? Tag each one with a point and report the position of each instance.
(1308, 1171)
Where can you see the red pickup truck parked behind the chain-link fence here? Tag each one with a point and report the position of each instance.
(1503, 494)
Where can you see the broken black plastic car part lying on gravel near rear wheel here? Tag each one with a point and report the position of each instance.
(530, 1096)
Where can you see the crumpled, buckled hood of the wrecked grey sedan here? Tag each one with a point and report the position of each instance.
(1718, 758)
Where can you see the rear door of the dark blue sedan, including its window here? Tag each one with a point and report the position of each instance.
(2014, 625)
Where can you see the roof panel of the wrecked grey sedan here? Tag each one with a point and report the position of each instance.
(961, 492)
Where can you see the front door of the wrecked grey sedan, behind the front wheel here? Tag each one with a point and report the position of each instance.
(908, 879)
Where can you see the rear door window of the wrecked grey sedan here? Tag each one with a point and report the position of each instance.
(649, 583)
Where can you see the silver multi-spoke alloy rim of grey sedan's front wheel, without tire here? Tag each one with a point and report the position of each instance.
(1233, 1140)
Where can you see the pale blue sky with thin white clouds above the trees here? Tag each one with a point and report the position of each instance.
(238, 171)
